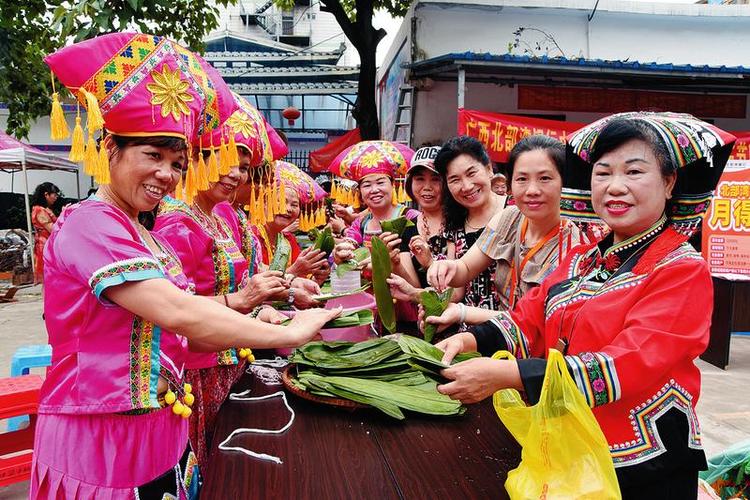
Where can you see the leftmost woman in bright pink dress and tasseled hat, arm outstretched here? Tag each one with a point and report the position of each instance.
(111, 417)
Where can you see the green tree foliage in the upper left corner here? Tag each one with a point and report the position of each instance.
(31, 29)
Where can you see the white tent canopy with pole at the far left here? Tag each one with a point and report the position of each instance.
(16, 156)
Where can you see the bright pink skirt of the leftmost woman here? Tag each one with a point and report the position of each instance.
(109, 456)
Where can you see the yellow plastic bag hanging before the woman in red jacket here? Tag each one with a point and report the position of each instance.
(564, 453)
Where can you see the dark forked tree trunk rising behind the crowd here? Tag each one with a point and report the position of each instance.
(355, 19)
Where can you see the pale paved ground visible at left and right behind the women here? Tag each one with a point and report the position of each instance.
(724, 408)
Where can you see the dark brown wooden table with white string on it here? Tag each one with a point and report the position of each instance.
(331, 453)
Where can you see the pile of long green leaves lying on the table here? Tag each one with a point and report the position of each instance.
(389, 374)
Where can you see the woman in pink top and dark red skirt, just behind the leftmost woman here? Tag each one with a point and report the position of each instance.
(207, 238)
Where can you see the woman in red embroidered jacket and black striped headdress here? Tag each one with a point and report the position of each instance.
(631, 312)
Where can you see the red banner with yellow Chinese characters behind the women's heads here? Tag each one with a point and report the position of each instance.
(499, 133)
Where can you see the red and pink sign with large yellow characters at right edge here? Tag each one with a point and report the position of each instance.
(726, 226)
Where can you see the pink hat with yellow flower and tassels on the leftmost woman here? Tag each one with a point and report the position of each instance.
(133, 84)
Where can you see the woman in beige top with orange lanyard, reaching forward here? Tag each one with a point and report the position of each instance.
(524, 242)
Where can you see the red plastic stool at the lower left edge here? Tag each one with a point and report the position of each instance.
(18, 396)
